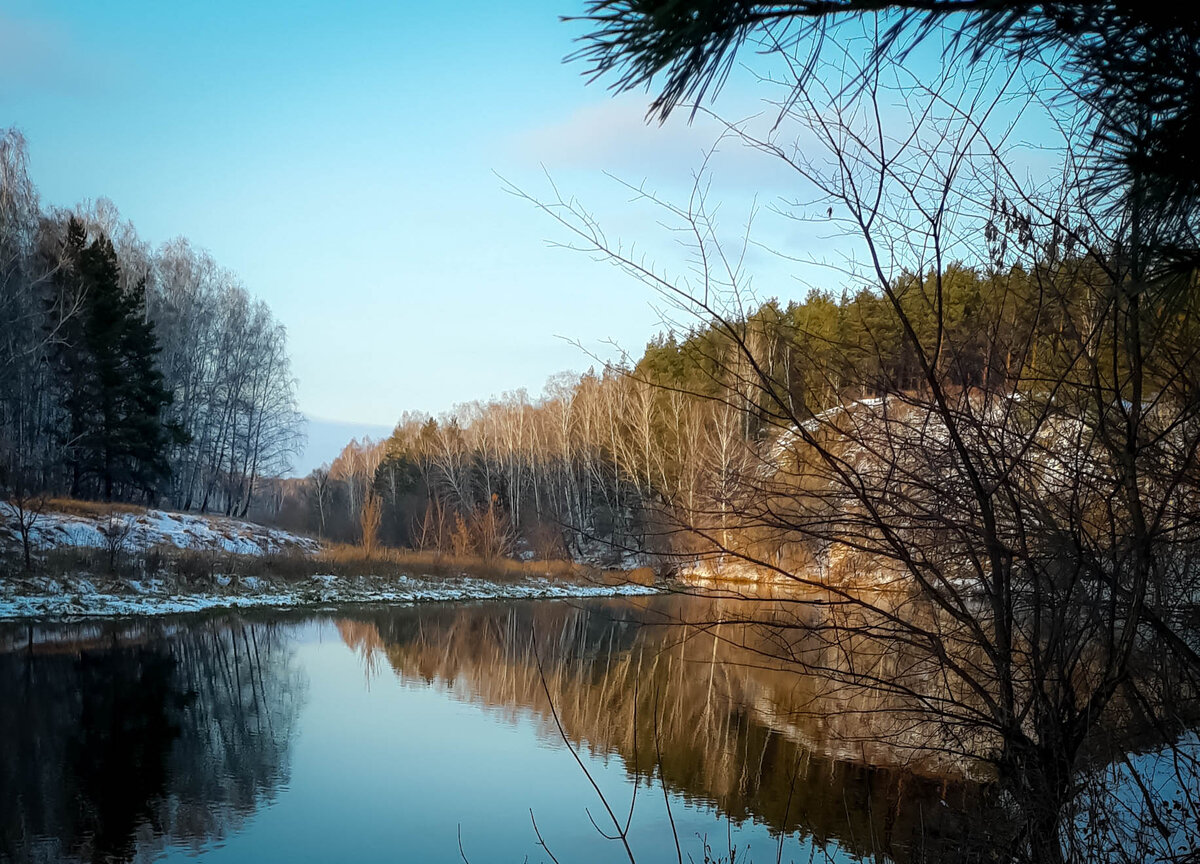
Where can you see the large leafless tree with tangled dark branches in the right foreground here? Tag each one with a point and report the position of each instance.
(1022, 544)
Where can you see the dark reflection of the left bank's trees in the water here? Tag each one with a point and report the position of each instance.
(116, 741)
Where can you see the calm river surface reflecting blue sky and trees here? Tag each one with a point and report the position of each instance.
(383, 735)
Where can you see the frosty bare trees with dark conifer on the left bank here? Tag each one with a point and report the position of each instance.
(128, 373)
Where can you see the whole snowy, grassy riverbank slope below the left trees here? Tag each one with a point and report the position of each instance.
(91, 560)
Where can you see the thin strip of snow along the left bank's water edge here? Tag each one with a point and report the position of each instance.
(51, 598)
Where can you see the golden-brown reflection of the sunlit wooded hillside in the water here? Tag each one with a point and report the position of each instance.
(727, 731)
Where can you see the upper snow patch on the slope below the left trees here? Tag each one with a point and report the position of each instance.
(154, 529)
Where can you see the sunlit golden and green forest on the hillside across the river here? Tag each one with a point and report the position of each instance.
(649, 457)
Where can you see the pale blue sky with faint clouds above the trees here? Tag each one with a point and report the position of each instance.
(350, 160)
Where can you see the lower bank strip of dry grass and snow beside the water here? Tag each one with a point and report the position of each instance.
(80, 583)
